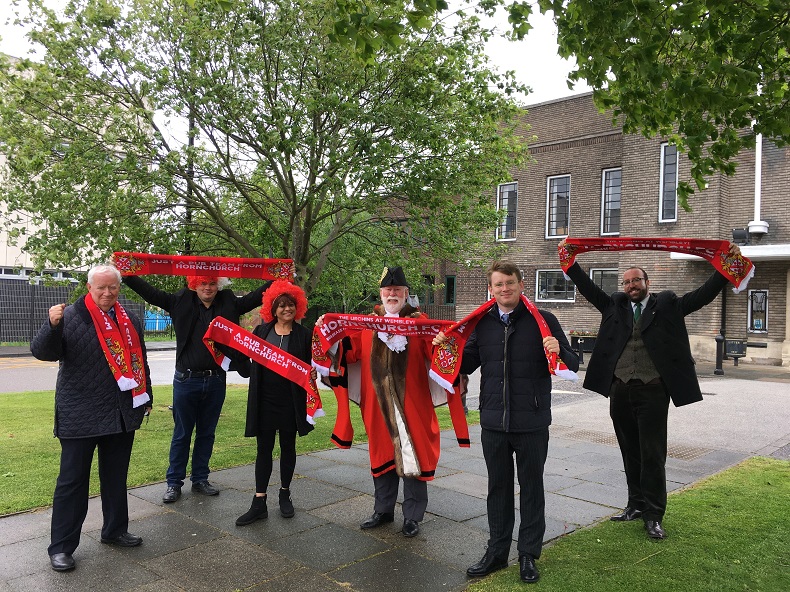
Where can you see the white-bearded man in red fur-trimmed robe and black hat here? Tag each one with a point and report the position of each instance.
(388, 377)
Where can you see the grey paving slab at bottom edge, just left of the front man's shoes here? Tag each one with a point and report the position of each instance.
(402, 571)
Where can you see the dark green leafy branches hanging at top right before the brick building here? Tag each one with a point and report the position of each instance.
(708, 74)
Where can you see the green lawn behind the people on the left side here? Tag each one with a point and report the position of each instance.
(30, 455)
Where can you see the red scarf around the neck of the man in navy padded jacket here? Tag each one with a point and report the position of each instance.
(447, 357)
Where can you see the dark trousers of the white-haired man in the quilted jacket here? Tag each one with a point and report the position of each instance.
(70, 503)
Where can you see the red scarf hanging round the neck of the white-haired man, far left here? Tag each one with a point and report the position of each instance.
(122, 350)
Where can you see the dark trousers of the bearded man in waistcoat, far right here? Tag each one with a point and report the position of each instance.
(639, 416)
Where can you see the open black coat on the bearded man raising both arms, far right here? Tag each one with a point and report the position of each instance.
(663, 331)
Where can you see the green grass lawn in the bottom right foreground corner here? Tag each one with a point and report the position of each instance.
(728, 533)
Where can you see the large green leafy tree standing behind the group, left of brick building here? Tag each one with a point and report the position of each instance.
(241, 129)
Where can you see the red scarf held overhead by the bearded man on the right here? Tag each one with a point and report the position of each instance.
(738, 270)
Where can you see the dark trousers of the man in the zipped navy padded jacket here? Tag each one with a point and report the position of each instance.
(531, 450)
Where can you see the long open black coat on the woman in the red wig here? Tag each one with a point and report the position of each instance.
(299, 346)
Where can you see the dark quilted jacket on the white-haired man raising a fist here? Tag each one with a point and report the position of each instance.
(88, 402)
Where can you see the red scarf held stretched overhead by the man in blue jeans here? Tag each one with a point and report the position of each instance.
(145, 264)
